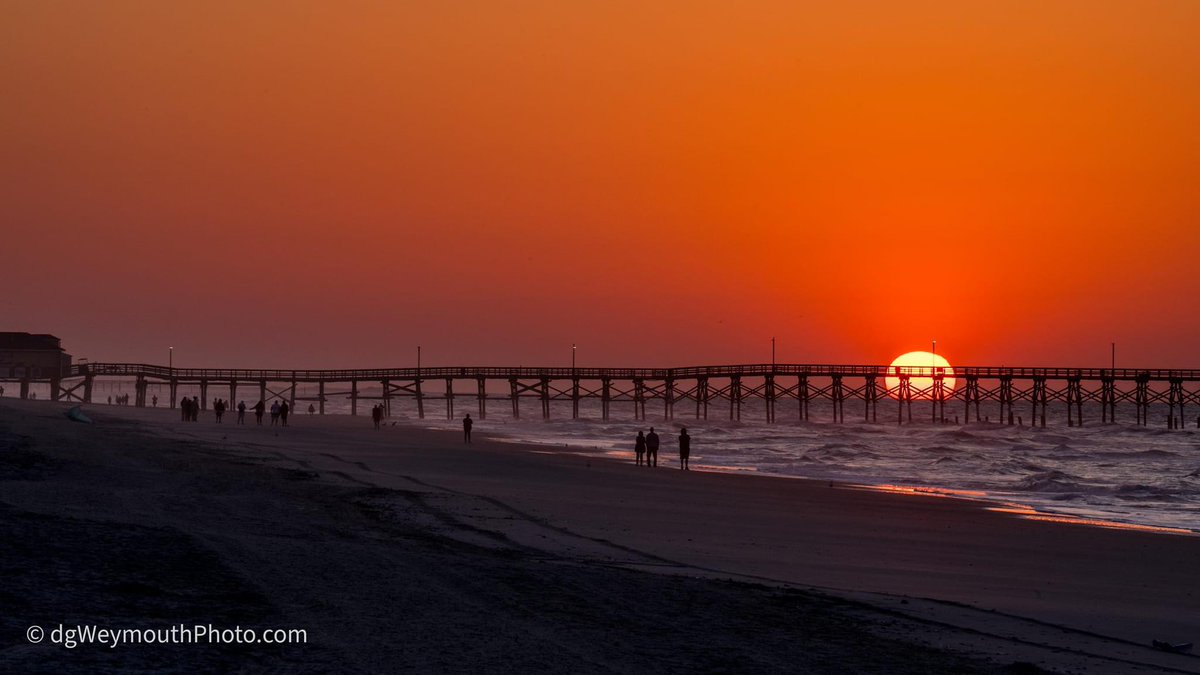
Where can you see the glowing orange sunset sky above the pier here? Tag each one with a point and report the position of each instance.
(291, 184)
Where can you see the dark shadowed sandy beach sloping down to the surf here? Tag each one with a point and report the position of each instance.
(404, 551)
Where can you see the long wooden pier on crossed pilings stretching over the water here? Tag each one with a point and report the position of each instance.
(693, 392)
